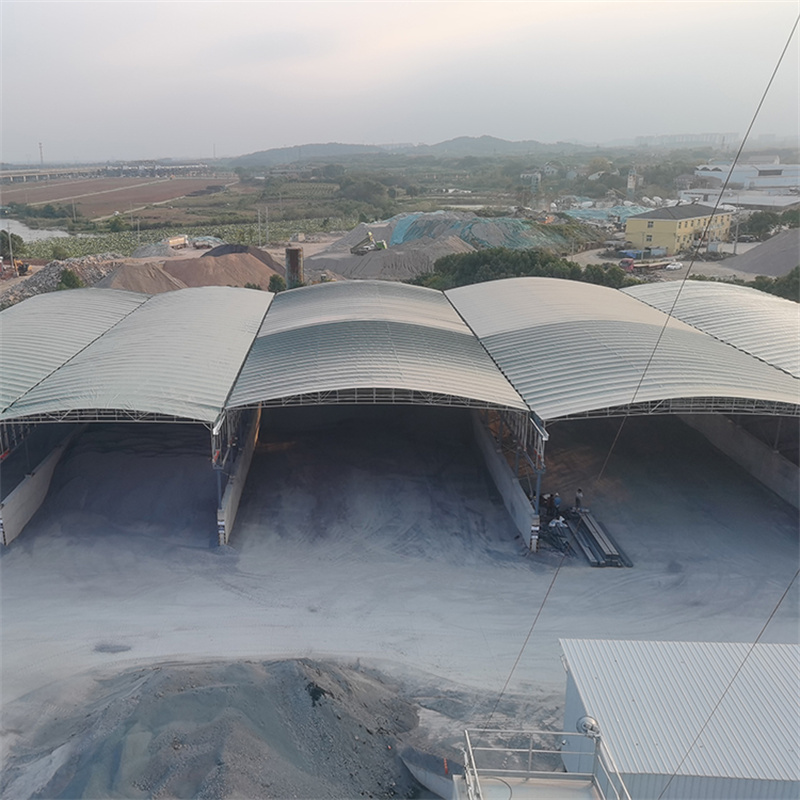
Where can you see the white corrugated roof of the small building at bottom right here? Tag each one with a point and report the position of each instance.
(651, 699)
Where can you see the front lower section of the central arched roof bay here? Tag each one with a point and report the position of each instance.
(371, 354)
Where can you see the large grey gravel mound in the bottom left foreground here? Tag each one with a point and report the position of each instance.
(275, 729)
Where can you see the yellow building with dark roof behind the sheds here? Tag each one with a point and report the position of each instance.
(678, 228)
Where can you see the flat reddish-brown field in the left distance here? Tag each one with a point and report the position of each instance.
(101, 197)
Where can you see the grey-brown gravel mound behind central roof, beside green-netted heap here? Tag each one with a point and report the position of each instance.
(397, 263)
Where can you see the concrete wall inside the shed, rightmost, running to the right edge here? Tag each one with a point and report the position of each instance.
(759, 459)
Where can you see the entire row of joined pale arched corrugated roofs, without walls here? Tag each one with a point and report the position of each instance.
(557, 348)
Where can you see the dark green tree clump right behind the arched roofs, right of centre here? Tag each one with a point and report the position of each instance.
(496, 263)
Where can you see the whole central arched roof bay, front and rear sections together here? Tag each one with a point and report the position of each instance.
(371, 334)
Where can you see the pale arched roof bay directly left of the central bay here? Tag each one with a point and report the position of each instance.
(177, 355)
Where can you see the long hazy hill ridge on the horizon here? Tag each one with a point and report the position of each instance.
(461, 147)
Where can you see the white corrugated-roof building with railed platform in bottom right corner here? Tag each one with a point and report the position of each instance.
(655, 720)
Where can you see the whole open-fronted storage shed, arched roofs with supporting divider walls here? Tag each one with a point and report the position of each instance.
(521, 353)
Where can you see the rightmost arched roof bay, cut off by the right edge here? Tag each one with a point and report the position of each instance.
(758, 323)
